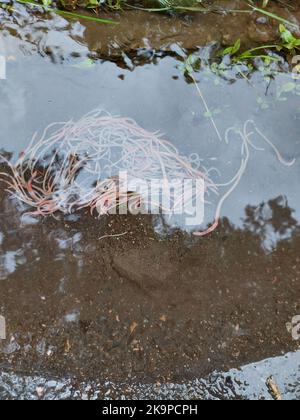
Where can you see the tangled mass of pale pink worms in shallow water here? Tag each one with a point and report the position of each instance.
(75, 165)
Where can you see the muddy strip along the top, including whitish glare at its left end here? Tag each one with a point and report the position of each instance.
(142, 30)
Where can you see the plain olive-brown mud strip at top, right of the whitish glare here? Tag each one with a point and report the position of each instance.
(190, 30)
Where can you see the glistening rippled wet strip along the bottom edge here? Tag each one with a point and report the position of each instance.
(249, 382)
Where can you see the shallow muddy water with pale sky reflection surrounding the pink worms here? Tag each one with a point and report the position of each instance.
(157, 303)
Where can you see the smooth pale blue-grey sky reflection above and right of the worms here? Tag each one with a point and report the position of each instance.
(178, 112)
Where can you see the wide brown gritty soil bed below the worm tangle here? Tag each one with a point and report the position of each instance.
(140, 307)
